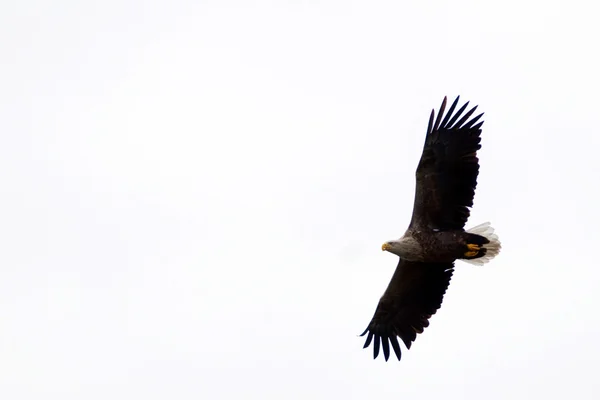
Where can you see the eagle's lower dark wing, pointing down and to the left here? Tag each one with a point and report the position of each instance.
(414, 294)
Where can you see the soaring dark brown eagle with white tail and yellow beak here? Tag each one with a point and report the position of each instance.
(446, 179)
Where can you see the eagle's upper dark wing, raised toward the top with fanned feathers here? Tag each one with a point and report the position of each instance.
(448, 169)
